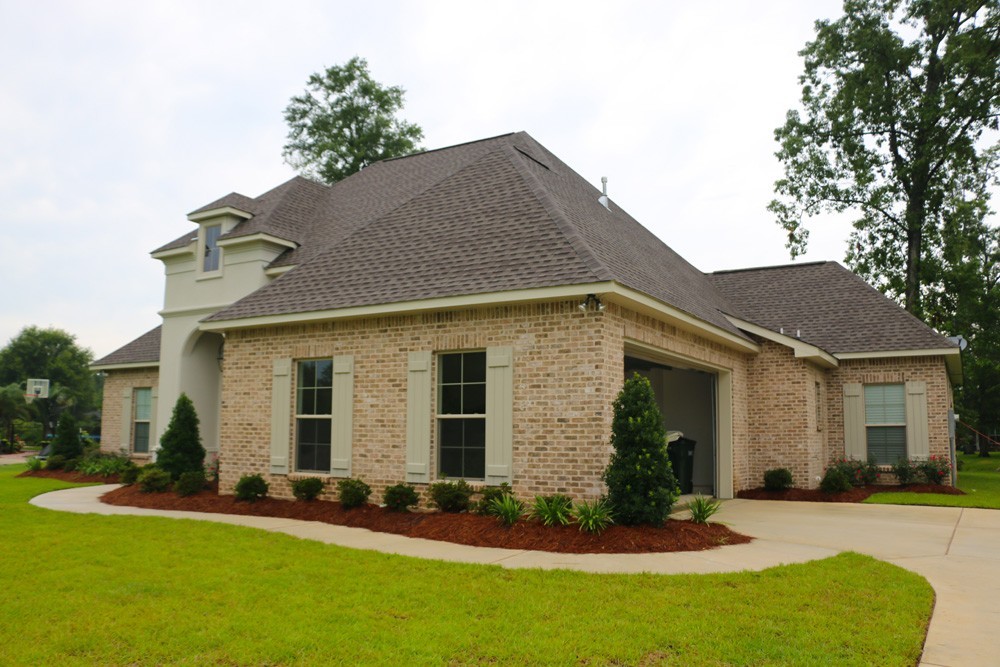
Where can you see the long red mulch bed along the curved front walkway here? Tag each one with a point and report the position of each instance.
(471, 529)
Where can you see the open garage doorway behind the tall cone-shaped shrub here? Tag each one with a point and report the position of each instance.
(687, 397)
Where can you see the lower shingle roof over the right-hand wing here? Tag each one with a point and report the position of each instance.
(828, 306)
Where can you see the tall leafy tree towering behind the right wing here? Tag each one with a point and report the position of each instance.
(899, 104)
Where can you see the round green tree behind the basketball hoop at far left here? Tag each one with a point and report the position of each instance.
(54, 355)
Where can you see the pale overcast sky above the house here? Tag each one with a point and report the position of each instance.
(119, 118)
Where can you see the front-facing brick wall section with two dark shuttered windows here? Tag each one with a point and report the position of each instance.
(565, 379)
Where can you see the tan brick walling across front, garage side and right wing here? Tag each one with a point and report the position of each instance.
(568, 368)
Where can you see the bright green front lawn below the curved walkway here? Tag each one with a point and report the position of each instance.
(122, 590)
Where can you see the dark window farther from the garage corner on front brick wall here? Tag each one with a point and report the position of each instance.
(313, 415)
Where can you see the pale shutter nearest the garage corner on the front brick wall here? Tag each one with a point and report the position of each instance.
(499, 415)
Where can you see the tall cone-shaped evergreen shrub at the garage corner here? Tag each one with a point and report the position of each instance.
(641, 483)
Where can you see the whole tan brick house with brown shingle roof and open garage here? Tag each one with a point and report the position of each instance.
(472, 312)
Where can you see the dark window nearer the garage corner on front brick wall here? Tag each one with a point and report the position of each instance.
(461, 414)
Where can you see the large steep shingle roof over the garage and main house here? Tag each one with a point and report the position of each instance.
(496, 215)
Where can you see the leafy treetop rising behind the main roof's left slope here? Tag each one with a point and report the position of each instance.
(345, 121)
